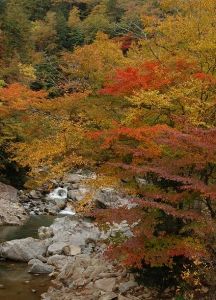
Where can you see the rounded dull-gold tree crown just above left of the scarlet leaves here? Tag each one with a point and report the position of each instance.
(95, 61)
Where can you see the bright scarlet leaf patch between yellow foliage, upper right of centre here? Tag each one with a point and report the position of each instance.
(151, 75)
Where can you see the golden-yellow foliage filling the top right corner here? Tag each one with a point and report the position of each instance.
(188, 31)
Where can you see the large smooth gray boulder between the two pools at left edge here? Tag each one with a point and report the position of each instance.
(24, 249)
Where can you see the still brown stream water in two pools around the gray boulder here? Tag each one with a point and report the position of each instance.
(15, 281)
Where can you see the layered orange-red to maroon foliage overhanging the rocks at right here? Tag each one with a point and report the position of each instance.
(179, 167)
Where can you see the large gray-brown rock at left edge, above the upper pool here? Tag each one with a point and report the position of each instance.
(11, 211)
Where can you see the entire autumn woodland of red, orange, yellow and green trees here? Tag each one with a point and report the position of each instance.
(126, 88)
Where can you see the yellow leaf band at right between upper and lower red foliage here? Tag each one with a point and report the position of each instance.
(193, 99)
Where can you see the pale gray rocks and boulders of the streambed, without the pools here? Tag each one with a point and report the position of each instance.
(71, 250)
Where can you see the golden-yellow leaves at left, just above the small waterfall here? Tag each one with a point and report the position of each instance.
(51, 156)
